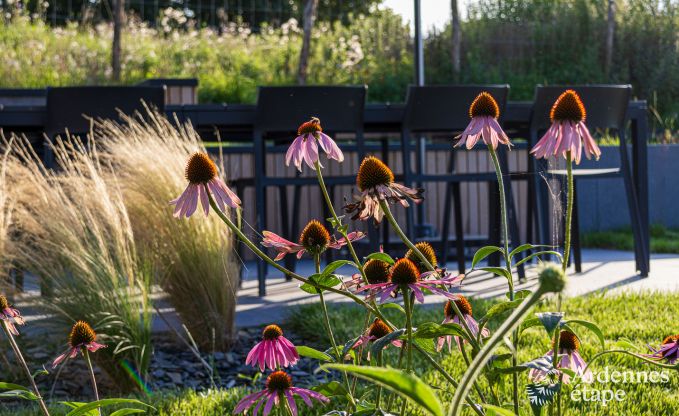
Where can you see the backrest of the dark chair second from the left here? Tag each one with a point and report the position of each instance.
(283, 109)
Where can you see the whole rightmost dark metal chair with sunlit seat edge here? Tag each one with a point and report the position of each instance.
(606, 107)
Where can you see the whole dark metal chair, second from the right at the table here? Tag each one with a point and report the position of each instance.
(445, 110)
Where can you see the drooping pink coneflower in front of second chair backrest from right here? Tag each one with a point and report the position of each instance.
(484, 112)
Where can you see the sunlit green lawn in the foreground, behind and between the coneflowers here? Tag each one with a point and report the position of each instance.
(642, 318)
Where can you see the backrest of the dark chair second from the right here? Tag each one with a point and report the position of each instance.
(446, 107)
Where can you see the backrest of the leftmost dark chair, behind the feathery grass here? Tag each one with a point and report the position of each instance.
(68, 107)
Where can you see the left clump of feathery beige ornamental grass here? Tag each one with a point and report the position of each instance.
(75, 234)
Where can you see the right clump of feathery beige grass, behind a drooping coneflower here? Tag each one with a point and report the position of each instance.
(194, 257)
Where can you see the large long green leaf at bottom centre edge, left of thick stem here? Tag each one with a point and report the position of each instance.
(404, 384)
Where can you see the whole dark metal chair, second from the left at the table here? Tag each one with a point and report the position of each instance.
(279, 112)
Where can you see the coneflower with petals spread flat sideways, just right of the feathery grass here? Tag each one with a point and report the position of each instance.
(314, 239)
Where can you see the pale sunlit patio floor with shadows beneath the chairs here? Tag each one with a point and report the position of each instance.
(602, 270)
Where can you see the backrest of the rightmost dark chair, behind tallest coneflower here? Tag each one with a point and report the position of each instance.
(606, 105)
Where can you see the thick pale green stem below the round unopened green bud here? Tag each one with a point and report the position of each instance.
(485, 354)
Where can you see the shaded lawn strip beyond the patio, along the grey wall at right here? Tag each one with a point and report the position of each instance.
(663, 240)
